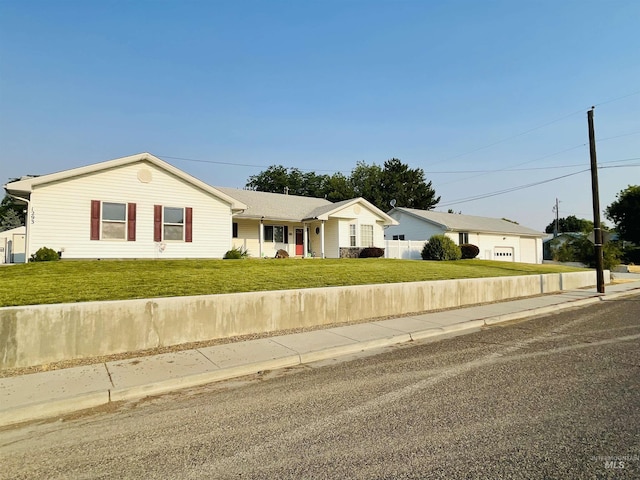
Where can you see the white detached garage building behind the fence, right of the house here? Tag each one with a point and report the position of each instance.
(497, 239)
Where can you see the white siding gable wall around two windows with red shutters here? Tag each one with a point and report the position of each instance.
(60, 215)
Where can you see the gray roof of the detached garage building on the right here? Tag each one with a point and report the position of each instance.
(469, 223)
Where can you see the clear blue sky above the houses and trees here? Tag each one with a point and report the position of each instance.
(462, 87)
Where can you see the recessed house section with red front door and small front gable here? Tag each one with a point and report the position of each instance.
(305, 226)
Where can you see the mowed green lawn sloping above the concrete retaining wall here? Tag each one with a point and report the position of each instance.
(92, 280)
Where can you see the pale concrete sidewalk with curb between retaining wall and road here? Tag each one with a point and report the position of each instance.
(57, 392)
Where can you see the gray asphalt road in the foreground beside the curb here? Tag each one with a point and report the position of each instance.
(551, 397)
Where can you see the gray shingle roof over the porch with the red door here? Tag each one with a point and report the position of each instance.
(277, 206)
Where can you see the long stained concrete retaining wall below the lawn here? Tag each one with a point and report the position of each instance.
(40, 334)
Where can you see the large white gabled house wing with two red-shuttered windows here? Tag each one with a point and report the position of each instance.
(132, 207)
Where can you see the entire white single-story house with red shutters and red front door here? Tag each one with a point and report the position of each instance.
(142, 207)
